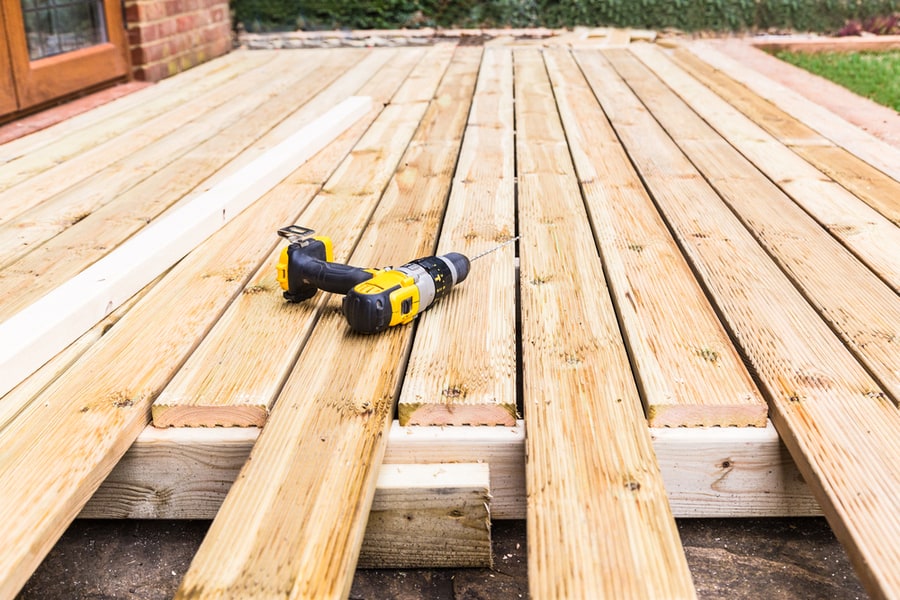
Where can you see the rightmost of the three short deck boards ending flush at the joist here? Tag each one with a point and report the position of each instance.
(688, 370)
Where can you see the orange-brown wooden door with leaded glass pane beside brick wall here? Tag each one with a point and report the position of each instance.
(59, 47)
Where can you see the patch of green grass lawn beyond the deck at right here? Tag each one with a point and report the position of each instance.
(875, 75)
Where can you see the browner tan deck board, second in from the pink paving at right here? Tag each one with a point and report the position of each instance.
(867, 183)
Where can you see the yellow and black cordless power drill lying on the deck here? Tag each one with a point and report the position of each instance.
(374, 299)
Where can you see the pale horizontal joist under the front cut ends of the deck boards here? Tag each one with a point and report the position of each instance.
(185, 473)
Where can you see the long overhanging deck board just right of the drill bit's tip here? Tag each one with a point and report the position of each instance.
(599, 524)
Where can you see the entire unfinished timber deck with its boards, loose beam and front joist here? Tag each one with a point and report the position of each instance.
(721, 266)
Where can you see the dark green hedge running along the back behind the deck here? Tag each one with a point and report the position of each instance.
(687, 15)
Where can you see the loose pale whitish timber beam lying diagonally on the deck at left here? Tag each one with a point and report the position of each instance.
(37, 333)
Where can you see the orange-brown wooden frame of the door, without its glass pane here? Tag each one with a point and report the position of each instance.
(40, 81)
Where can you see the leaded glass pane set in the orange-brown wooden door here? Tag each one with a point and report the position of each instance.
(57, 26)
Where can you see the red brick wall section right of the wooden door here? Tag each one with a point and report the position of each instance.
(169, 36)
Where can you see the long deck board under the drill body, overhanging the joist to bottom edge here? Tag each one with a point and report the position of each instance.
(325, 438)
